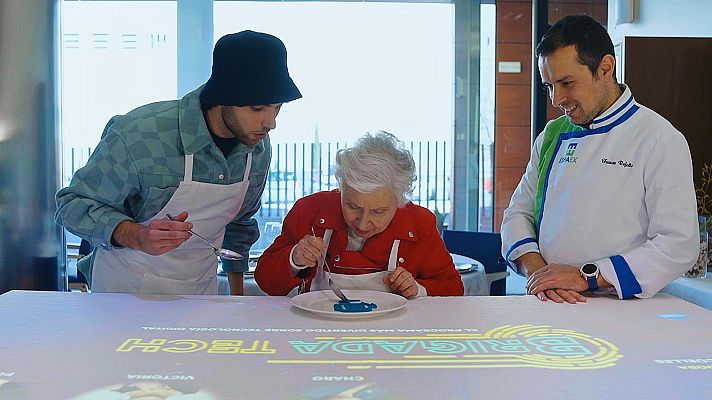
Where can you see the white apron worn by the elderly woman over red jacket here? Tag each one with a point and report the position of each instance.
(370, 281)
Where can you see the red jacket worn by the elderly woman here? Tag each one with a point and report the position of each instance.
(421, 248)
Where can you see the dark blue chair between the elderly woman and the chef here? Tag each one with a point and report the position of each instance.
(484, 247)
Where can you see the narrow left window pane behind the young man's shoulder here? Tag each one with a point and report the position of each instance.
(115, 56)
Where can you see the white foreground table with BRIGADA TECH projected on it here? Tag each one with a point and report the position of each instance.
(59, 345)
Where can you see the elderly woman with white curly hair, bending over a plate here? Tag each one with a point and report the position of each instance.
(367, 232)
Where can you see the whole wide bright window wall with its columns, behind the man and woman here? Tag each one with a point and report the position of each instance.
(360, 65)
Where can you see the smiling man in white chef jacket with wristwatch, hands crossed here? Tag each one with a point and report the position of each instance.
(607, 201)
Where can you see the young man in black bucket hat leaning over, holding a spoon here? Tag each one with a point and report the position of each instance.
(203, 160)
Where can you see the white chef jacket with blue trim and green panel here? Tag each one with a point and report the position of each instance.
(619, 195)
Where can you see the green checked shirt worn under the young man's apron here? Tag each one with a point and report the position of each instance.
(138, 165)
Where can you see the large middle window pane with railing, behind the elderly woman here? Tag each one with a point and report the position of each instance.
(396, 75)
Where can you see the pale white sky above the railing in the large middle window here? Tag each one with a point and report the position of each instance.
(360, 66)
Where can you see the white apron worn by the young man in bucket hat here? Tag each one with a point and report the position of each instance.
(189, 269)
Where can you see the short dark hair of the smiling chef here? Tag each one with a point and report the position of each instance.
(590, 38)
